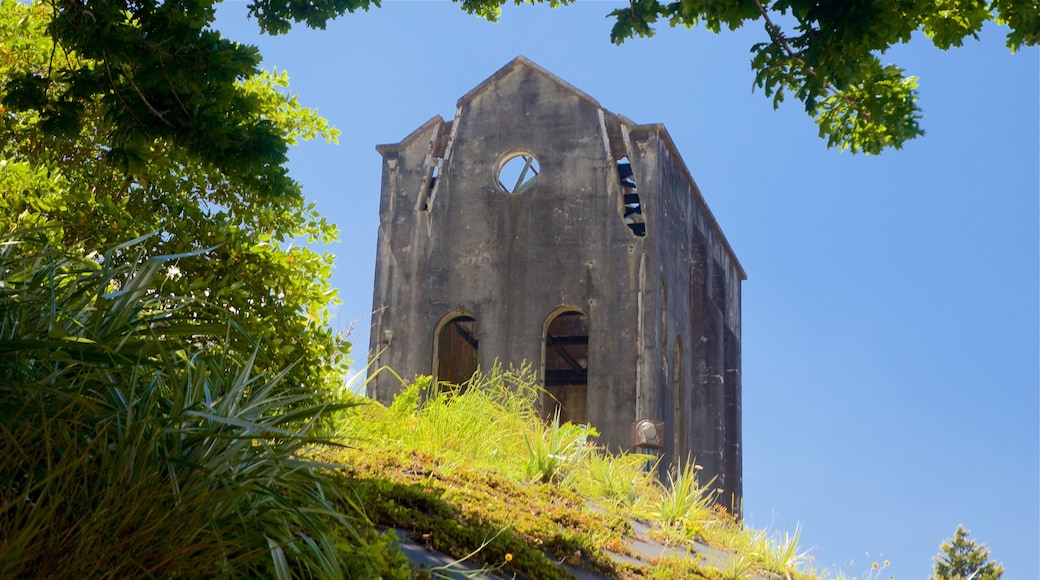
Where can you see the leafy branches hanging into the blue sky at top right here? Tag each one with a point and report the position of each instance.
(830, 60)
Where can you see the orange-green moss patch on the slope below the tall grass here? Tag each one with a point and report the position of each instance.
(463, 512)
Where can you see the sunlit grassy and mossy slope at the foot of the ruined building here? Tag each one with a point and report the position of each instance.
(476, 472)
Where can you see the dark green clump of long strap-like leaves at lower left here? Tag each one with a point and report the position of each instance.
(128, 451)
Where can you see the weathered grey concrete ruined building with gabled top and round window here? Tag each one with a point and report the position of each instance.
(537, 226)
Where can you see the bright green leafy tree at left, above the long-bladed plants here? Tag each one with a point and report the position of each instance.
(73, 166)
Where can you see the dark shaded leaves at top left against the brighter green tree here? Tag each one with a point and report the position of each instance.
(161, 72)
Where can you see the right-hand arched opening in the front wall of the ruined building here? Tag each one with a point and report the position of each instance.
(567, 368)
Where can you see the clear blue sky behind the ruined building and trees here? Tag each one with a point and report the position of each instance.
(891, 313)
